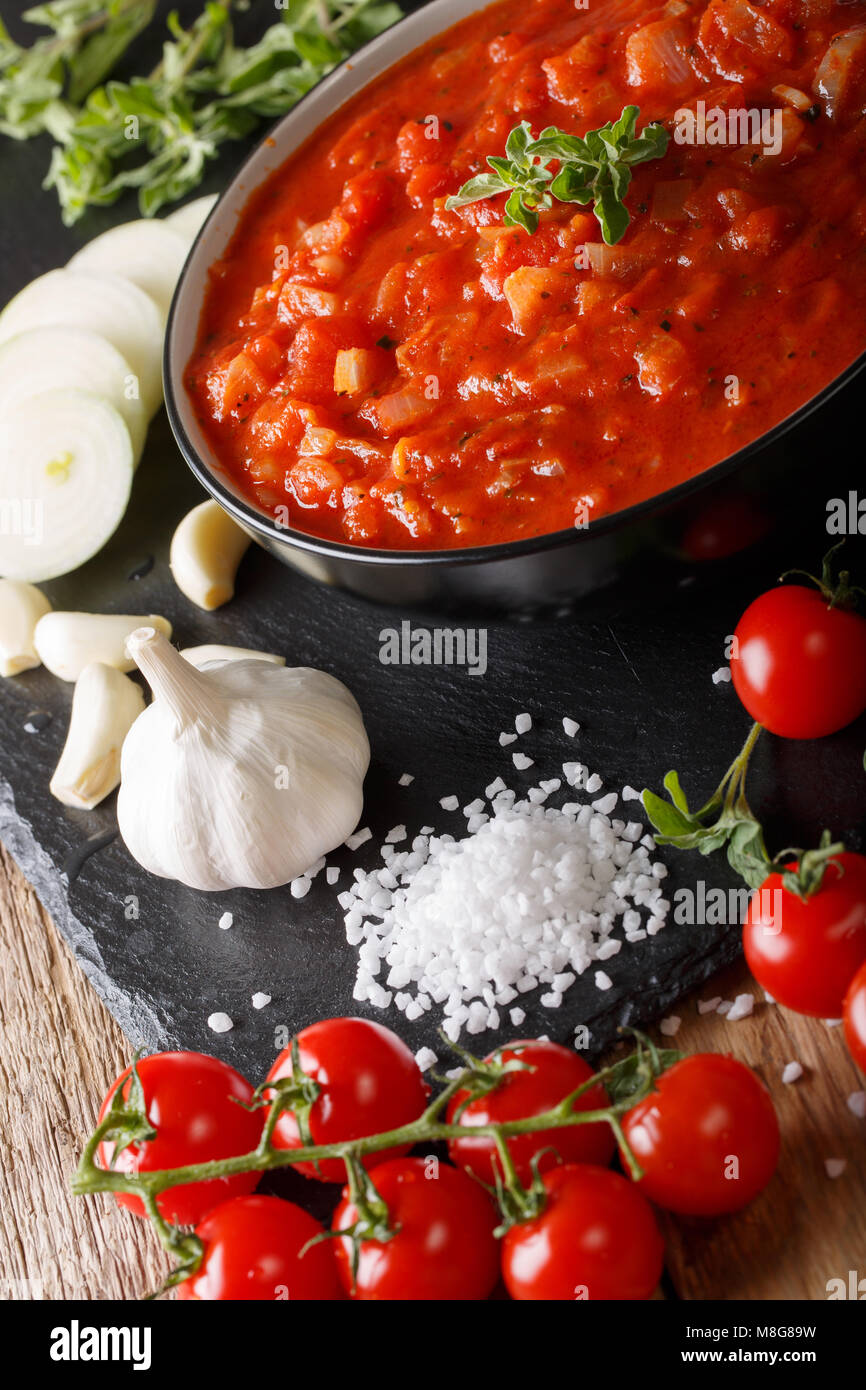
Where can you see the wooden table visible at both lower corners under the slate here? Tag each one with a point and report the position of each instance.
(60, 1050)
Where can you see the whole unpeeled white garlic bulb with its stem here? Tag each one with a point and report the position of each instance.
(241, 776)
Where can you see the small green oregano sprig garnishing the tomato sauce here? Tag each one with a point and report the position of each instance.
(591, 169)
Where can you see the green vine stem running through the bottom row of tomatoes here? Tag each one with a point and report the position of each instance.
(628, 1082)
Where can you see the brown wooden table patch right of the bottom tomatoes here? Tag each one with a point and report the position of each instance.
(806, 1228)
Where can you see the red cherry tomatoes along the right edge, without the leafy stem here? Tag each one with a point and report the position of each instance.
(799, 664)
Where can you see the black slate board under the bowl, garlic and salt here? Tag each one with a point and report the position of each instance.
(635, 668)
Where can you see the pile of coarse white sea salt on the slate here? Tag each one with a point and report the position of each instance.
(530, 899)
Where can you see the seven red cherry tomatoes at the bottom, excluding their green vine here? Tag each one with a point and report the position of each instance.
(707, 1139)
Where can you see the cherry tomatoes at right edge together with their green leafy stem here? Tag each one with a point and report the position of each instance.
(799, 664)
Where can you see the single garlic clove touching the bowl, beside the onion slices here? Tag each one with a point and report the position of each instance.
(206, 551)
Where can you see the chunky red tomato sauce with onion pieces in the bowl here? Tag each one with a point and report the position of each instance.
(379, 370)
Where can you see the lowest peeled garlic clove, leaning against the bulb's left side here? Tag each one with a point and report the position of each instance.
(105, 707)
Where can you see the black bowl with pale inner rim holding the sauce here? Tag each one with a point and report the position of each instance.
(721, 512)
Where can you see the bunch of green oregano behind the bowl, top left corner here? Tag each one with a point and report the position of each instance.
(158, 133)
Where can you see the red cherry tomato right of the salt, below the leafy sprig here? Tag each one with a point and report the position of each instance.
(807, 953)
